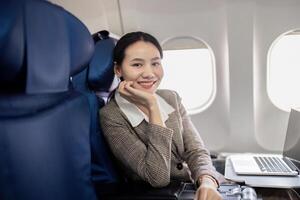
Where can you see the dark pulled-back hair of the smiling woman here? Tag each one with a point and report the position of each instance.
(127, 40)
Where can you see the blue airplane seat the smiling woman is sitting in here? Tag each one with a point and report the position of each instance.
(98, 77)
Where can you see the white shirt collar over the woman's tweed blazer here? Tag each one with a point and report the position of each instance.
(136, 116)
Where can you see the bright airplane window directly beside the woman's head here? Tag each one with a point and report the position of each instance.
(191, 73)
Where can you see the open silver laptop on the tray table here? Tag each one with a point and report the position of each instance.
(286, 164)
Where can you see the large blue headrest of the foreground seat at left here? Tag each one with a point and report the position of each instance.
(41, 46)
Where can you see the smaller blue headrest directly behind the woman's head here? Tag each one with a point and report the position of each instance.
(101, 67)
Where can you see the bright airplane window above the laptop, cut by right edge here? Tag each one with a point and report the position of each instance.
(283, 71)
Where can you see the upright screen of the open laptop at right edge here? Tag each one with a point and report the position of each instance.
(292, 139)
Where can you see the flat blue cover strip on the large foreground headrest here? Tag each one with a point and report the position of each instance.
(48, 54)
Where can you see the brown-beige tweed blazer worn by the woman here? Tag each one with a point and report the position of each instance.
(153, 153)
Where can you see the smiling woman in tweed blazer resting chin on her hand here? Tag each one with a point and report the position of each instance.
(148, 130)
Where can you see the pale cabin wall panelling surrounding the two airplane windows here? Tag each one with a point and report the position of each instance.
(241, 118)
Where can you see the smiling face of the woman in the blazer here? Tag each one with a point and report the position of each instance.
(142, 65)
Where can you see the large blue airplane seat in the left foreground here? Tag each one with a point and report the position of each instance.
(45, 141)
